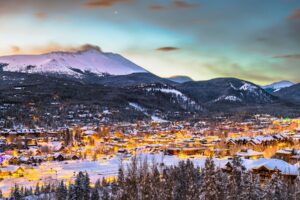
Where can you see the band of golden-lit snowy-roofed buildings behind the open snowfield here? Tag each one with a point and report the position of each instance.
(260, 138)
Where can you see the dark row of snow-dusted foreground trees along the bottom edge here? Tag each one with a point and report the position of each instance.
(185, 181)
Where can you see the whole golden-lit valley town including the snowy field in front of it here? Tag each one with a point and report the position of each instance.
(33, 156)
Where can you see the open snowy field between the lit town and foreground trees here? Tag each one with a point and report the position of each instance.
(54, 171)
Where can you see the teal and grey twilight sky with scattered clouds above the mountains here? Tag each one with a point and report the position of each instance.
(255, 40)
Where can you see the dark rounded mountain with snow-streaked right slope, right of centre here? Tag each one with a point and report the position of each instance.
(226, 90)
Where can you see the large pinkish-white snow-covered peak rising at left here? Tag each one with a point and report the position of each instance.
(71, 63)
